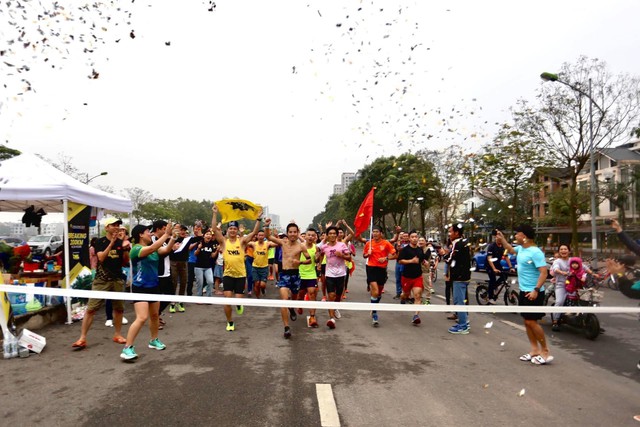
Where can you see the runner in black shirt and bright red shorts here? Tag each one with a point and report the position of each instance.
(412, 257)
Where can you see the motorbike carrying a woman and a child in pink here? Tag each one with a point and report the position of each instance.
(587, 322)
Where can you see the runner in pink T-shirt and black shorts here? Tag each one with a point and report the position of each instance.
(336, 253)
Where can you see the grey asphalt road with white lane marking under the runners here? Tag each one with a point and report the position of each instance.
(394, 375)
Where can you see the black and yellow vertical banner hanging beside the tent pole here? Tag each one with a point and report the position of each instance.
(78, 250)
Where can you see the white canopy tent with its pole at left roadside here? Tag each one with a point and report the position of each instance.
(27, 180)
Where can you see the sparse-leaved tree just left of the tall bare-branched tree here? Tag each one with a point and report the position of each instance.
(502, 172)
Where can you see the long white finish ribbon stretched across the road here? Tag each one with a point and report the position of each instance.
(320, 305)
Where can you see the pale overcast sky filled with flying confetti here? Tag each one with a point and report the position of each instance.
(272, 101)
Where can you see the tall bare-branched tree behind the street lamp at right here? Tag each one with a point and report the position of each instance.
(561, 119)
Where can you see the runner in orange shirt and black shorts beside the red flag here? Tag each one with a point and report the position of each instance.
(377, 252)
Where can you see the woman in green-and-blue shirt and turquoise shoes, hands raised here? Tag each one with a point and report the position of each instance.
(145, 260)
